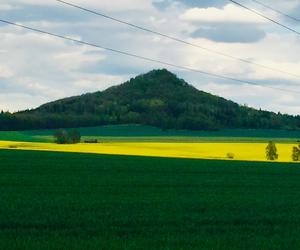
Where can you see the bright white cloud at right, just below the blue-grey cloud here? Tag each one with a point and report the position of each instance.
(273, 51)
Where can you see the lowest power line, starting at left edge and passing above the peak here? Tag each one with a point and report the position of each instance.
(143, 57)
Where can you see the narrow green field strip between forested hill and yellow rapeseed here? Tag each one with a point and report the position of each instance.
(147, 133)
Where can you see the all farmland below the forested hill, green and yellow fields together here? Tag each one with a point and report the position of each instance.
(144, 188)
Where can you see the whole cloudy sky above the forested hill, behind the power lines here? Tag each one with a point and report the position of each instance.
(36, 68)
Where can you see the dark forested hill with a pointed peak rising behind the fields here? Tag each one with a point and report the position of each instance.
(157, 98)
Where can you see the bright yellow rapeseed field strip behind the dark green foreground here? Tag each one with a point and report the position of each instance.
(240, 151)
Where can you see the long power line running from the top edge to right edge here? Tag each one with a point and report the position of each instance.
(178, 39)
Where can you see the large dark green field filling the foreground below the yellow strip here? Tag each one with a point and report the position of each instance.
(79, 201)
